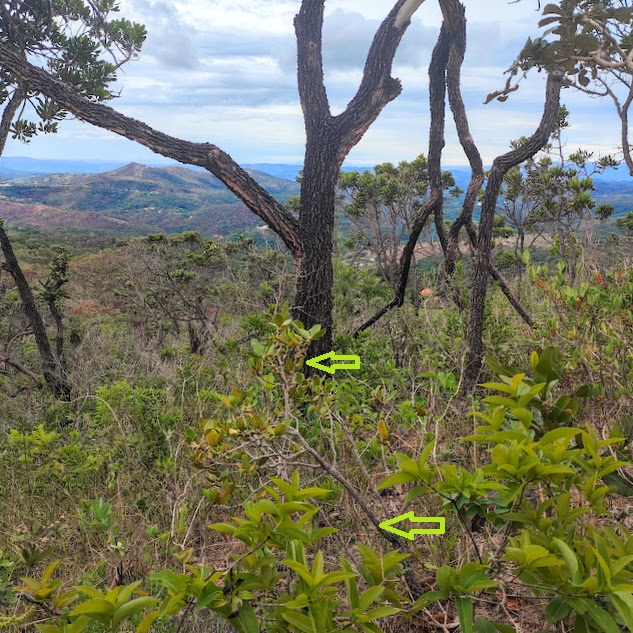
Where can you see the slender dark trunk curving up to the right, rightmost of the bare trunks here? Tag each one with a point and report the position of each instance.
(500, 167)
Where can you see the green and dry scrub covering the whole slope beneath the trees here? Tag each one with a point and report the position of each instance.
(199, 479)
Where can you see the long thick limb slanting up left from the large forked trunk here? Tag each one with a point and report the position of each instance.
(206, 155)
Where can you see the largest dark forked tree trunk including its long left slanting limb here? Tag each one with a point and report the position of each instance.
(329, 140)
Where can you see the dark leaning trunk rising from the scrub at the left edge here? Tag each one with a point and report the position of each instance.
(51, 369)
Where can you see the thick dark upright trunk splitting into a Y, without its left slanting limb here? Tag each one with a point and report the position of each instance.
(328, 141)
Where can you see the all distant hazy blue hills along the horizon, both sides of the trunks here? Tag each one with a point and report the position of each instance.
(138, 199)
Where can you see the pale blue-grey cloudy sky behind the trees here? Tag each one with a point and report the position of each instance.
(223, 71)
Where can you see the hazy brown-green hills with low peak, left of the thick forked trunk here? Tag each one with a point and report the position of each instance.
(137, 199)
